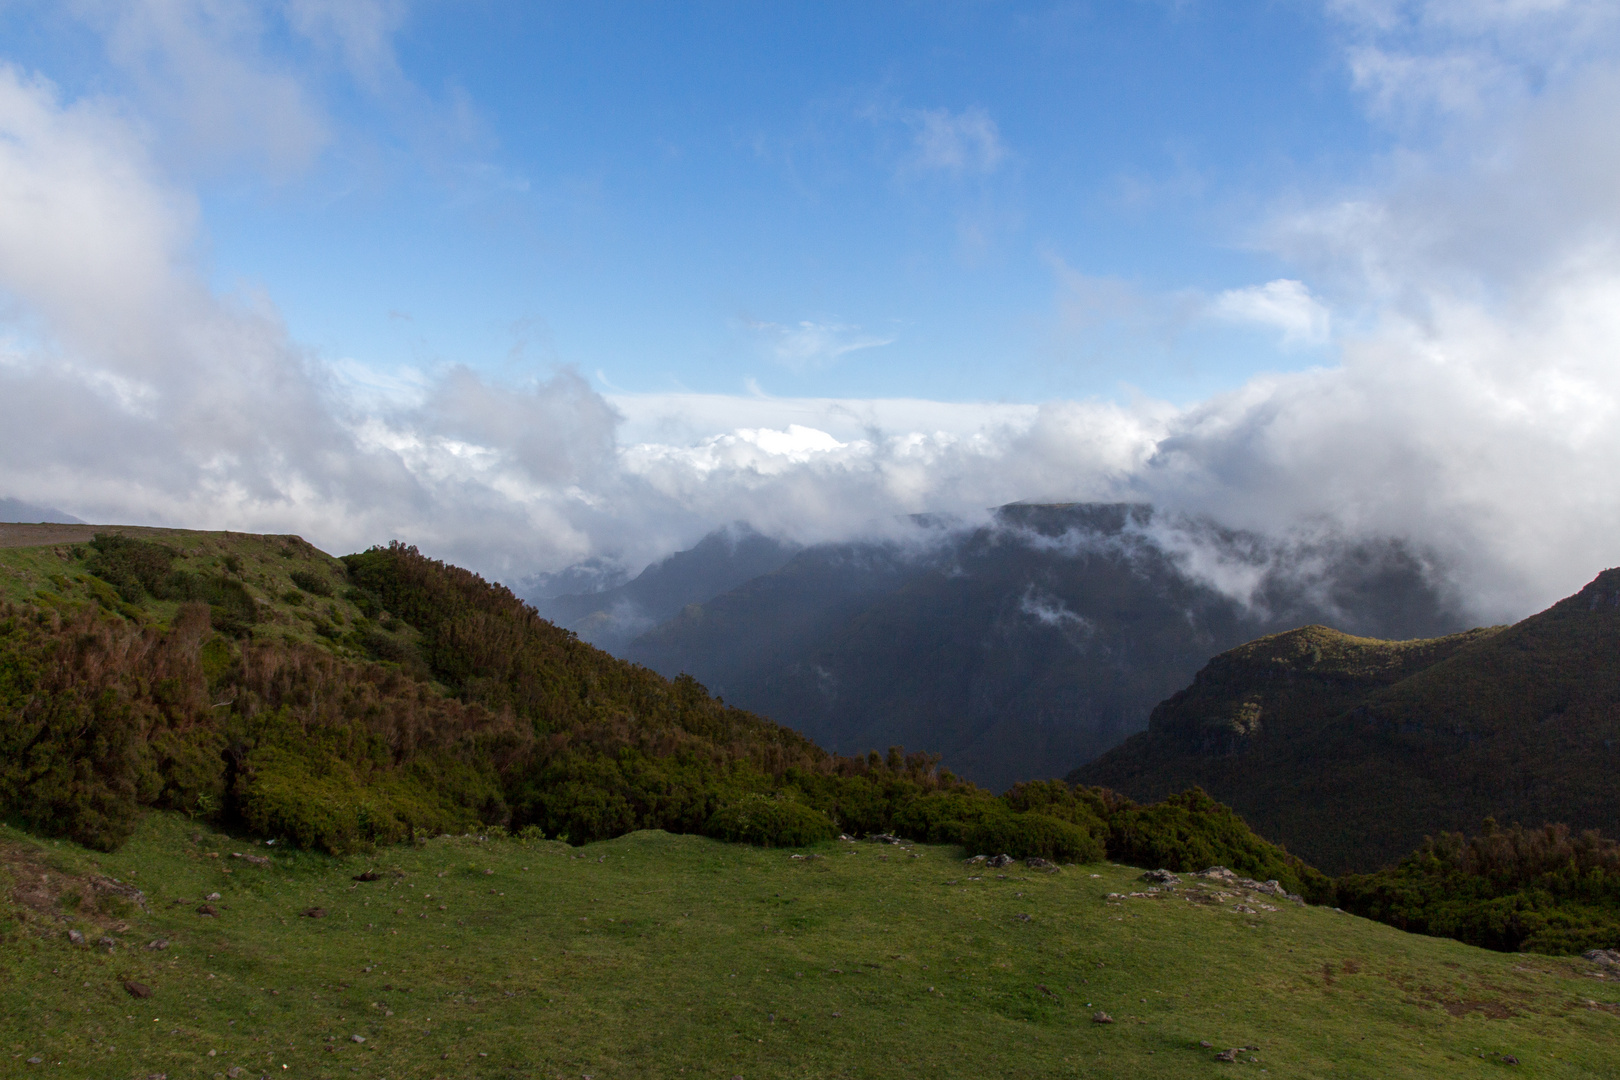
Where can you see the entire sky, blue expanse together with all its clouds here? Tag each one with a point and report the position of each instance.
(542, 284)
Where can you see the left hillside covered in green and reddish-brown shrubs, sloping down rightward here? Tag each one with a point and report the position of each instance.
(349, 704)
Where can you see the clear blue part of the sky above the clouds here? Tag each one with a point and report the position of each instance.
(697, 197)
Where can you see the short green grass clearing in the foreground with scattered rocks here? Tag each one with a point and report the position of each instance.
(671, 956)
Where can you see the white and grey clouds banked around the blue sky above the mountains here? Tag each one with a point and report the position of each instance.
(1473, 410)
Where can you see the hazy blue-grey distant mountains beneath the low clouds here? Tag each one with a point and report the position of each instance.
(1020, 648)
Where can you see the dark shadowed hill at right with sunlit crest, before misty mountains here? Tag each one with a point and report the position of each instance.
(1350, 752)
